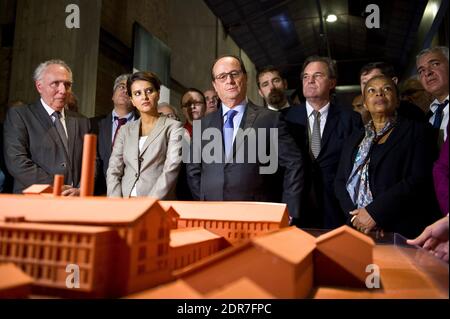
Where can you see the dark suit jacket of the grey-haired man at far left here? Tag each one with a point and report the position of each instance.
(33, 149)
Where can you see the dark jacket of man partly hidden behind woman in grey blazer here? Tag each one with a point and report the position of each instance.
(102, 126)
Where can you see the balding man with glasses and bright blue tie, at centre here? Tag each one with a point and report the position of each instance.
(229, 179)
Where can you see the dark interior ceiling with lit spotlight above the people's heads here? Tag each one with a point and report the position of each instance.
(284, 33)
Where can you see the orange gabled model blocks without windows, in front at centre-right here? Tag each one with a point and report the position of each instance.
(295, 268)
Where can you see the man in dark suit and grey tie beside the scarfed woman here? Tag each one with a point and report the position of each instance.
(320, 128)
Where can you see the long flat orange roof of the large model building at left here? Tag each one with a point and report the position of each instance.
(75, 210)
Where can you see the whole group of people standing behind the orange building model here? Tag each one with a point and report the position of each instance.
(382, 168)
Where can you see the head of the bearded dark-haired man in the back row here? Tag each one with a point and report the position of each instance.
(272, 88)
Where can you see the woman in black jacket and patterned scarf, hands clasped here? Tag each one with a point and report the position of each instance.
(384, 180)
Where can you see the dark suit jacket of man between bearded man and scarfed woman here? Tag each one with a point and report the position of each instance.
(320, 208)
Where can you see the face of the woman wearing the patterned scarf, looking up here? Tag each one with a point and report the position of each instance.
(380, 97)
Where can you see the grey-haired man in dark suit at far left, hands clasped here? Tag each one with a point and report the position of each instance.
(43, 139)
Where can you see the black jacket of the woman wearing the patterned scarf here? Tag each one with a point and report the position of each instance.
(400, 179)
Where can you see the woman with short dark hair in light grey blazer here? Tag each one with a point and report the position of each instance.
(146, 157)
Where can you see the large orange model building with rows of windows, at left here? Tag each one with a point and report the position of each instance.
(44, 234)
